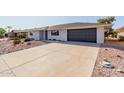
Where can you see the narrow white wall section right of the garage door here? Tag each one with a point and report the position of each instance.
(100, 35)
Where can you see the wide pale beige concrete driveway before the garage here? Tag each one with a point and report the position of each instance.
(53, 59)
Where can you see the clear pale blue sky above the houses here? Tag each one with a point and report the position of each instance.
(22, 22)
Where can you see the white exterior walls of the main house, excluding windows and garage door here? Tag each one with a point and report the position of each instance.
(63, 35)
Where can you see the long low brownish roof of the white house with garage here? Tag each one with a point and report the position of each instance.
(75, 25)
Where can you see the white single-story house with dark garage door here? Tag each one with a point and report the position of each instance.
(84, 32)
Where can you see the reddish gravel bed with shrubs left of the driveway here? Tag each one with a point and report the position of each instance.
(8, 47)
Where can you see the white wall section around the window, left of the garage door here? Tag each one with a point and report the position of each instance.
(62, 35)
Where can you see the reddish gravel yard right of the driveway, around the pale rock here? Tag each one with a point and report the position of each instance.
(112, 51)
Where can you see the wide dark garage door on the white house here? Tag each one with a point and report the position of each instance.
(83, 35)
